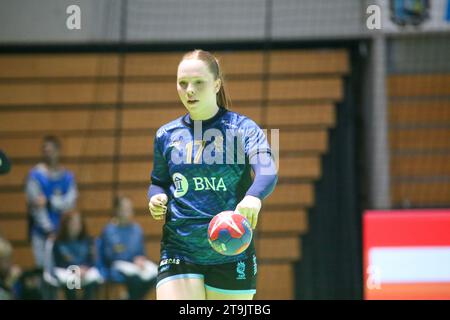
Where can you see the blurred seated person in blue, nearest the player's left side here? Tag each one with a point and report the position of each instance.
(122, 252)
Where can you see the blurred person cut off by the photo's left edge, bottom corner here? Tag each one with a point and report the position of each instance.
(9, 273)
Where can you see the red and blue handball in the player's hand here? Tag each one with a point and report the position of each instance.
(229, 233)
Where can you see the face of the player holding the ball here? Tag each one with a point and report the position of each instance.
(196, 85)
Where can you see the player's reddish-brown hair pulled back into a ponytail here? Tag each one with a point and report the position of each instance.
(222, 97)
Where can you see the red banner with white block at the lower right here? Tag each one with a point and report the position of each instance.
(406, 254)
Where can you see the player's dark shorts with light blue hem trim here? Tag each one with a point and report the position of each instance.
(233, 278)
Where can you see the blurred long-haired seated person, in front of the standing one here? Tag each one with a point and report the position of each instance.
(73, 258)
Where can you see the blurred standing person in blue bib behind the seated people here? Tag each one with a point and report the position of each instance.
(50, 190)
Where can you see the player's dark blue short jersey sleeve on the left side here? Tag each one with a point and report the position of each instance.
(160, 174)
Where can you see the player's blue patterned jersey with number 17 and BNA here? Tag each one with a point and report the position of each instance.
(205, 168)
